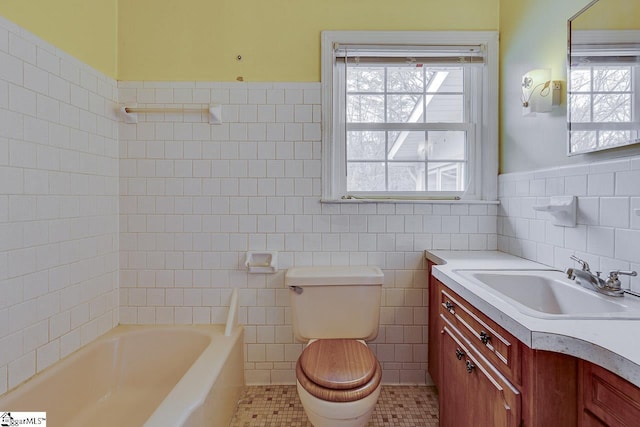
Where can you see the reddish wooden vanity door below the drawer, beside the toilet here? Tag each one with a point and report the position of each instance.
(472, 392)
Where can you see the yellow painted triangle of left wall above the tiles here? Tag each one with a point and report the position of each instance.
(85, 29)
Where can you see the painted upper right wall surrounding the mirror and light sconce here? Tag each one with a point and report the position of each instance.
(533, 34)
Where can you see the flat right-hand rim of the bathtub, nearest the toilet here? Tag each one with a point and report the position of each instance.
(193, 388)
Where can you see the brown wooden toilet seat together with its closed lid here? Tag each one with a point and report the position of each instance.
(338, 370)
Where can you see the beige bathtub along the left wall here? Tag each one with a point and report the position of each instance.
(152, 376)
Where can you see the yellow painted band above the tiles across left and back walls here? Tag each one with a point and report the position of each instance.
(279, 40)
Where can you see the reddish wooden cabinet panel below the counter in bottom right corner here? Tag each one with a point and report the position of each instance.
(613, 400)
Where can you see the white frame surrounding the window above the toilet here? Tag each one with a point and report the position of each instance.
(485, 150)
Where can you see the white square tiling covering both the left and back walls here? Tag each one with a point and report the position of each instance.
(193, 198)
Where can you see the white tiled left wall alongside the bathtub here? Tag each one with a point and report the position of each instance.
(58, 204)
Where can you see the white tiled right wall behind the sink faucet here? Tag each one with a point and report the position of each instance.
(607, 234)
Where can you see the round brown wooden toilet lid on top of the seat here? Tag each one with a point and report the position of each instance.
(338, 364)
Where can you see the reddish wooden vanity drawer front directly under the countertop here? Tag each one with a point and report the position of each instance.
(493, 342)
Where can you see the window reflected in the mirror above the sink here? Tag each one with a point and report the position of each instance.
(603, 110)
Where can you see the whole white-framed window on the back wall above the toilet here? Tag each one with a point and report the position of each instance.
(409, 115)
